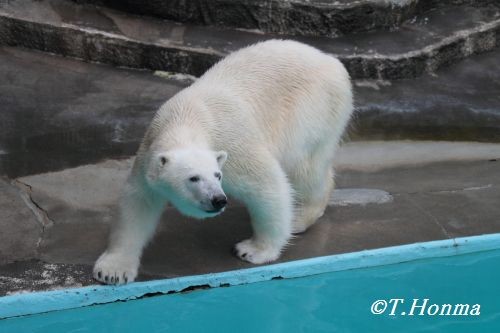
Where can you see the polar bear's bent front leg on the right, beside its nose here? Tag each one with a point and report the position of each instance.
(267, 195)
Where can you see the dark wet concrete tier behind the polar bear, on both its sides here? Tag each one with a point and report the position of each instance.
(58, 112)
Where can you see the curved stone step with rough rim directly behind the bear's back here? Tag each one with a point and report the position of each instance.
(98, 34)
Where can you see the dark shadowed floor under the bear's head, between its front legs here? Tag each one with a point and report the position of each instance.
(185, 246)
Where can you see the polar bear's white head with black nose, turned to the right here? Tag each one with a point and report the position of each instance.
(190, 179)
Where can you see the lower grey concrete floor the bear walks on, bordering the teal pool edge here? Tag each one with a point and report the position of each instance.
(57, 223)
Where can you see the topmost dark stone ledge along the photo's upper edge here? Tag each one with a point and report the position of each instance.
(291, 17)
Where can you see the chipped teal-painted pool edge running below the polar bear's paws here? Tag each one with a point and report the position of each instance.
(40, 302)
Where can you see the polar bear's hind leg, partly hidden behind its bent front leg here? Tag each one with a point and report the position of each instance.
(313, 189)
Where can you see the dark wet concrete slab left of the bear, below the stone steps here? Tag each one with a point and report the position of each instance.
(57, 113)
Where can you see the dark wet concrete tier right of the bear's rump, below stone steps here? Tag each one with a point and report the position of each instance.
(456, 103)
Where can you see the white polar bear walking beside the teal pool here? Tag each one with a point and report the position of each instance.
(276, 110)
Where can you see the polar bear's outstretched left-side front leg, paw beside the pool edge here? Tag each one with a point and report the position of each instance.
(139, 215)
